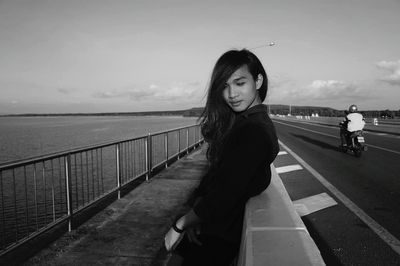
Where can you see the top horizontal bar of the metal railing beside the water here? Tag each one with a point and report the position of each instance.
(18, 163)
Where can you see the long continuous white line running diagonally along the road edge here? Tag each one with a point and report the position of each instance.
(389, 239)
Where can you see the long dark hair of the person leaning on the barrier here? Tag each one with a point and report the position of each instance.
(217, 118)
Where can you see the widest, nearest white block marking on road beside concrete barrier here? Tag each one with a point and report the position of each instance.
(314, 203)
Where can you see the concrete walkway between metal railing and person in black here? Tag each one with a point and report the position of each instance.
(131, 230)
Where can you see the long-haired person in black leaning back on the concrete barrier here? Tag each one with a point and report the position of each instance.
(242, 144)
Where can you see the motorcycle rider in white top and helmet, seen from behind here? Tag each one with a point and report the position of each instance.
(353, 121)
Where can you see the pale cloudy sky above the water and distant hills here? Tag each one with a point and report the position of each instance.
(72, 56)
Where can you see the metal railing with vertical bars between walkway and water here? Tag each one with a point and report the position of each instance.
(39, 193)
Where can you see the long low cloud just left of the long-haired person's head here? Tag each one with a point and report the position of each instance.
(176, 92)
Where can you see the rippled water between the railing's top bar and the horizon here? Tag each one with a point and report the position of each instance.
(25, 137)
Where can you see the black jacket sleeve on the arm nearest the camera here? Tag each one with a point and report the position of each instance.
(232, 178)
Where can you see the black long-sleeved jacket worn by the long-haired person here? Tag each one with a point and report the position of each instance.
(243, 171)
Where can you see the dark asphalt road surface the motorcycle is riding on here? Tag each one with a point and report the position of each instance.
(363, 228)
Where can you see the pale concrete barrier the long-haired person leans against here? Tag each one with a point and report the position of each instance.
(273, 233)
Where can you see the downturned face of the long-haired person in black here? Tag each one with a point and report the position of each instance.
(241, 90)
